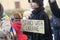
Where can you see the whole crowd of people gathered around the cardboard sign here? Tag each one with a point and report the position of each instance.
(11, 27)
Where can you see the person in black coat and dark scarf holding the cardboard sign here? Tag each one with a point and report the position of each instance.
(39, 14)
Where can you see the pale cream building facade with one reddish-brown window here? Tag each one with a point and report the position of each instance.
(15, 4)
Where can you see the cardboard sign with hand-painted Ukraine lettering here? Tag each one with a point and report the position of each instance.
(35, 26)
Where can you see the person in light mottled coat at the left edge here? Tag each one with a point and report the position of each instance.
(4, 25)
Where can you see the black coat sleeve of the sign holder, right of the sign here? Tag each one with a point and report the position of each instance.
(48, 30)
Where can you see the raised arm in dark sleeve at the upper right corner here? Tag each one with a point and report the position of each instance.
(54, 8)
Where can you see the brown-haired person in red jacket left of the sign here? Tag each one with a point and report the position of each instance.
(17, 25)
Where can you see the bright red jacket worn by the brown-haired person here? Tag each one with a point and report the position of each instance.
(17, 26)
